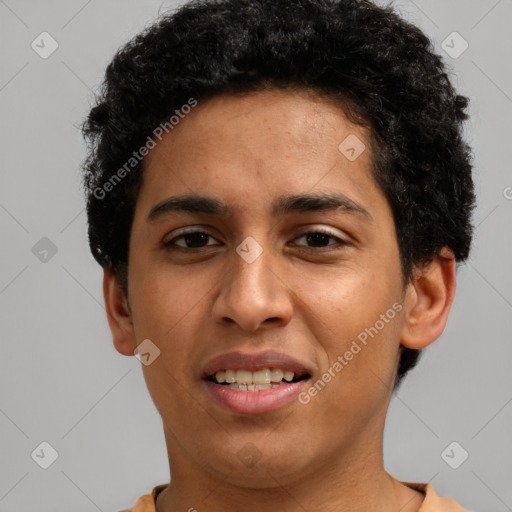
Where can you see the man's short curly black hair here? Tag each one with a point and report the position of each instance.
(382, 70)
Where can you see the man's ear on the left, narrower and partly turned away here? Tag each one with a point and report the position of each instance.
(118, 315)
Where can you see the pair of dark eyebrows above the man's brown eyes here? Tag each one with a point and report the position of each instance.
(302, 203)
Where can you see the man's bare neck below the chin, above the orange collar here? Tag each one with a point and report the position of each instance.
(354, 481)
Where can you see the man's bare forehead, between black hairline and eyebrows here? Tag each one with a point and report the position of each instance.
(264, 131)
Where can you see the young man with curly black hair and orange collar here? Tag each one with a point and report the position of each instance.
(278, 193)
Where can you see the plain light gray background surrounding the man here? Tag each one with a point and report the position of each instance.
(61, 380)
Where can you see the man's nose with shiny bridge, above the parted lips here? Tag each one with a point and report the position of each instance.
(254, 294)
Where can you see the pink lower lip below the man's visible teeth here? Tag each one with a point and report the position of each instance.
(254, 402)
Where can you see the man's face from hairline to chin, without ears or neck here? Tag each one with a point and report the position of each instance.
(309, 280)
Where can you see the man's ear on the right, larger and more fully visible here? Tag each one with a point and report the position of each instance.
(429, 298)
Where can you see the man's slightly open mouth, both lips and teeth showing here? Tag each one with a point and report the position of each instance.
(254, 383)
